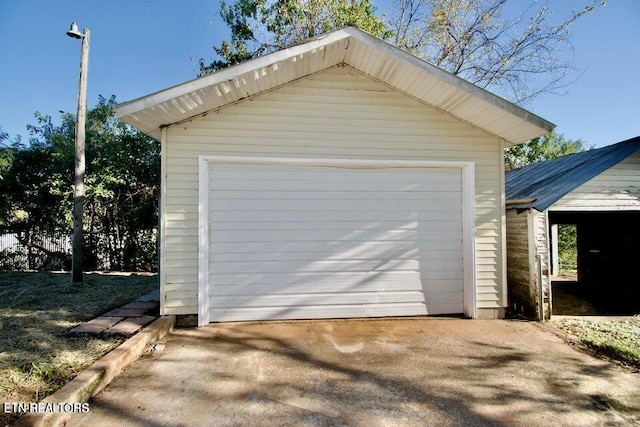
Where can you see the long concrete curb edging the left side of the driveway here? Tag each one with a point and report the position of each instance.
(96, 377)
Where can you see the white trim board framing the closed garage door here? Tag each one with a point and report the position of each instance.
(468, 214)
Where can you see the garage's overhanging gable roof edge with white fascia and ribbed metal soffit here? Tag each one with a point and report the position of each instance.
(351, 46)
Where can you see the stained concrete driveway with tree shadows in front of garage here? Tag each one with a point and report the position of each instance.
(411, 372)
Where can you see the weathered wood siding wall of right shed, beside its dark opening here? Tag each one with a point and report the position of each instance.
(528, 237)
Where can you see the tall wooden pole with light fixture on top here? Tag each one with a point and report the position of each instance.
(78, 187)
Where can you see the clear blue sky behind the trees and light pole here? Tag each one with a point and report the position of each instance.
(139, 47)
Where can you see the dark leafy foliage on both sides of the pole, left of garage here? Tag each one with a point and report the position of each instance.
(122, 181)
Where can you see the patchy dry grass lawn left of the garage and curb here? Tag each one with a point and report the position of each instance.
(36, 310)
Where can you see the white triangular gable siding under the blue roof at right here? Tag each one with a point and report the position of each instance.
(616, 189)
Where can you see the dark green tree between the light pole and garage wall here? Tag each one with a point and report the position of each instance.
(123, 182)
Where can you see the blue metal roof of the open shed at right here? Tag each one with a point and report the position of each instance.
(540, 185)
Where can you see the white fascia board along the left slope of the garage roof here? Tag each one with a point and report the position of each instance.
(227, 74)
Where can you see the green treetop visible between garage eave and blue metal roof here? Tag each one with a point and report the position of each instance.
(540, 149)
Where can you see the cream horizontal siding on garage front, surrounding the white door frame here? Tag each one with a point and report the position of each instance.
(338, 113)
